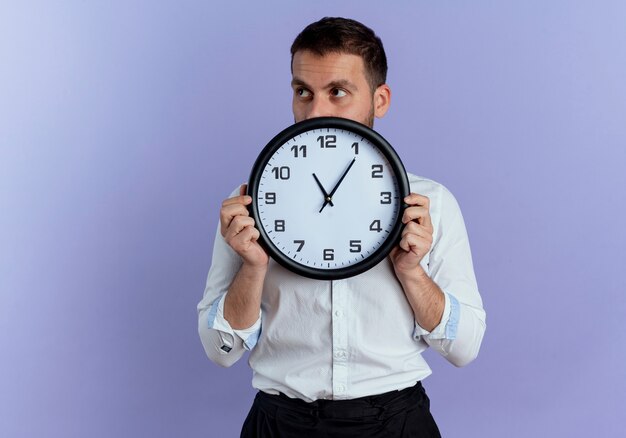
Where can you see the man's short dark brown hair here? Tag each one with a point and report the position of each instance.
(343, 35)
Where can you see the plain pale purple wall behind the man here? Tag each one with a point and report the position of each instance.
(124, 124)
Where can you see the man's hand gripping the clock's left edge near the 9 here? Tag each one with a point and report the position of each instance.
(237, 228)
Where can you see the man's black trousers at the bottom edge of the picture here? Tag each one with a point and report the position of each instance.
(404, 413)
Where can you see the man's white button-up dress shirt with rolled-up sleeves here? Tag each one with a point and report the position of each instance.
(349, 338)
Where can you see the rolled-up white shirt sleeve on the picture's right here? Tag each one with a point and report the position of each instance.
(460, 332)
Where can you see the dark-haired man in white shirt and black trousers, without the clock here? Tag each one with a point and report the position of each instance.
(343, 358)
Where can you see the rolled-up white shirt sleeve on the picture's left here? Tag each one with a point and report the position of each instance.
(222, 344)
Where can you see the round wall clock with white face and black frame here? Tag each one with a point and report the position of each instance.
(327, 198)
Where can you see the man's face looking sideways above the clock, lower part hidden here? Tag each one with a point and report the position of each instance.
(333, 85)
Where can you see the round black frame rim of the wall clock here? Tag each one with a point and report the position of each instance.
(318, 123)
